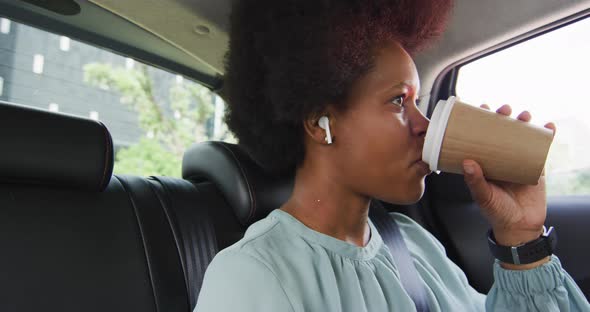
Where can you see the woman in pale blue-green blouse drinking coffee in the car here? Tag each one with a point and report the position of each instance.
(293, 62)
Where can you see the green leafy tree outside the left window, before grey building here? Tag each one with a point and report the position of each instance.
(169, 126)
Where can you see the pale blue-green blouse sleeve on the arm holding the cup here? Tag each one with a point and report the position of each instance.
(545, 288)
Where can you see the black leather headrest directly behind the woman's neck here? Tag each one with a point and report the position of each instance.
(247, 188)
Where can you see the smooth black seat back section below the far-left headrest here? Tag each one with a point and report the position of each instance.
(68, 250)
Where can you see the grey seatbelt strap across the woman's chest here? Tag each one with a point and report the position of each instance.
(391, 235)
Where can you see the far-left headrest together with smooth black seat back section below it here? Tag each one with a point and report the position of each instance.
(71, 239)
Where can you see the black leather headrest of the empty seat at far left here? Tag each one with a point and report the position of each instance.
(54, 149)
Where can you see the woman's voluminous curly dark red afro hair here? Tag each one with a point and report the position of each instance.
(288, 59)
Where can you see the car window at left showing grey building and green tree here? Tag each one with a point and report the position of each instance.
(153, 115)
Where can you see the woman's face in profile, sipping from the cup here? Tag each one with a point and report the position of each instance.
(379, 138)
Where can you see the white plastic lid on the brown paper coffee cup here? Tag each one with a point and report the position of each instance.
(436, 132)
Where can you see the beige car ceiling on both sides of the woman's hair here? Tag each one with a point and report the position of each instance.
(195, 31)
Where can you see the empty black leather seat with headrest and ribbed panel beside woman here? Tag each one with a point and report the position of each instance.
(75, 239)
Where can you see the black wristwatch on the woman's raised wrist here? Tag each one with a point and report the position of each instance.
(525, 253)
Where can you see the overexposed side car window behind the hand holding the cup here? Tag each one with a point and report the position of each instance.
(548, 75)
